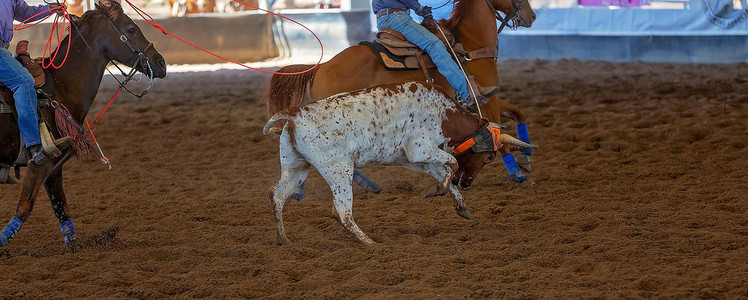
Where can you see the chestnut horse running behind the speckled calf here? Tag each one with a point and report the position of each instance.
(357, 67)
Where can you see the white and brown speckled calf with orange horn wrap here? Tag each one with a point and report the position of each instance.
(414, 125)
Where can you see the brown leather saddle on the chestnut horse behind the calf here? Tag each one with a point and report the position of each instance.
(396, 53)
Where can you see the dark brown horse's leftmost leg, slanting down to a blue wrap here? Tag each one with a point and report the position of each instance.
(35, 175)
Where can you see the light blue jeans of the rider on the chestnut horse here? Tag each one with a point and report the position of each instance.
(415, 33)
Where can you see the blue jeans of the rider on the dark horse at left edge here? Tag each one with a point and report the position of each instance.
(20, 81)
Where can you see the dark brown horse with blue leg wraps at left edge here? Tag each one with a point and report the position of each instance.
(98, 37)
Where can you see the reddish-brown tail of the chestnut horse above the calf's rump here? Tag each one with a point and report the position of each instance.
(286, 91)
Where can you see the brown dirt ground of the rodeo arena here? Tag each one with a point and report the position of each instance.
(641, 184)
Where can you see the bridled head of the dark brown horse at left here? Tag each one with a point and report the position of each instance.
(124, 42)
